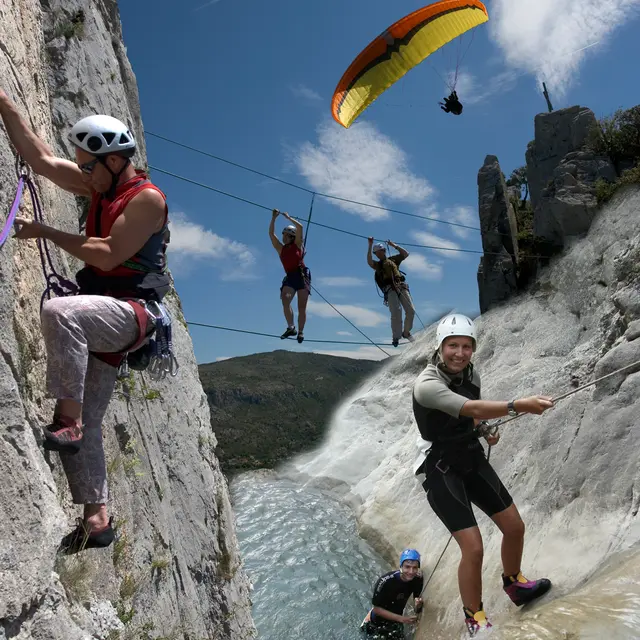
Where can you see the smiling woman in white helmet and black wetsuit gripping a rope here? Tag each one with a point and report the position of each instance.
(447, 407)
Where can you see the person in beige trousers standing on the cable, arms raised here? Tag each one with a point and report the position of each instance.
(393, 285)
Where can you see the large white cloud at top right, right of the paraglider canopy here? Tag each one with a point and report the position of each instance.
(544, 37)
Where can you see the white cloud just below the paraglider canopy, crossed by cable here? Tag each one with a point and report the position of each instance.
(360, 164)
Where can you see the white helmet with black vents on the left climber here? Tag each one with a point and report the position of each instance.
(100, 135)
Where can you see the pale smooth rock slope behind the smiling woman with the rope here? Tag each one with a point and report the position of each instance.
(573, 472)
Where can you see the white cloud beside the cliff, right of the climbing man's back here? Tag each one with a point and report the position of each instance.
(191, 241)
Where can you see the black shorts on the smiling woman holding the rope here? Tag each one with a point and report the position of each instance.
(450, 494)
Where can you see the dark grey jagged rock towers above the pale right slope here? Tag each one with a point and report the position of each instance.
(561, 173)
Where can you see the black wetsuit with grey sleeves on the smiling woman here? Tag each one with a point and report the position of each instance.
(457, 471)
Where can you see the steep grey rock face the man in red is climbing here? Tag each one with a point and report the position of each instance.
(174, 570)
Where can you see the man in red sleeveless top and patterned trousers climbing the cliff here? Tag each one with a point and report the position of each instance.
(124, 256)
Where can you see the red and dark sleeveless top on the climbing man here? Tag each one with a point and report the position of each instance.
(103, 213)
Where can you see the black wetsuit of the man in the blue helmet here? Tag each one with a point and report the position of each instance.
(391, 592)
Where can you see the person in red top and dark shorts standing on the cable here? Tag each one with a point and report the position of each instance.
(297, 279)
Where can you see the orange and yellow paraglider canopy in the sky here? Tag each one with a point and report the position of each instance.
(398, 50)
